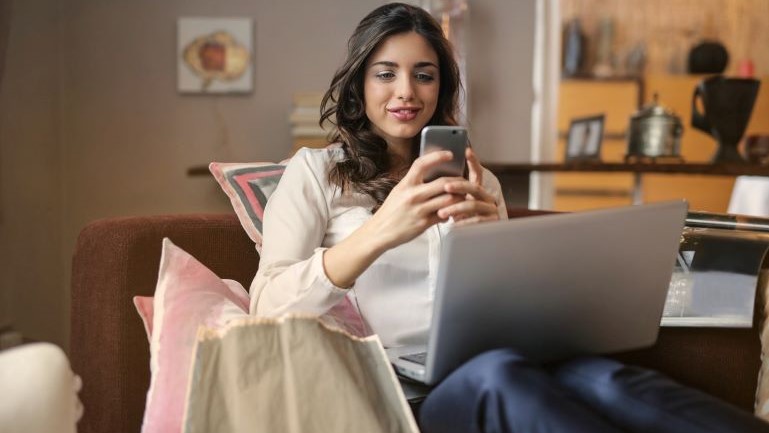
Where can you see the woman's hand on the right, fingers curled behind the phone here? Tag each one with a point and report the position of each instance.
(478, 205)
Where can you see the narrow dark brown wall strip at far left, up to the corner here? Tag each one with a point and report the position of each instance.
(30, 179)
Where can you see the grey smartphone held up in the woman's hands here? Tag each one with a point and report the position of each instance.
(453, 138)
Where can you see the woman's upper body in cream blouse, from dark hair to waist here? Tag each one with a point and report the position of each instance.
(358, 221)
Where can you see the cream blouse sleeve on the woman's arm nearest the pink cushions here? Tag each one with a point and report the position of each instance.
(291, 277)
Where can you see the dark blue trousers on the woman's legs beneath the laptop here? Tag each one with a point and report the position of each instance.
(500, 391)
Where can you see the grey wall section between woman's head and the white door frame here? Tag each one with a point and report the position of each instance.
(500, 90)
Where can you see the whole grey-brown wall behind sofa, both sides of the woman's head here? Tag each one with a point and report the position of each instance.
(96, 129)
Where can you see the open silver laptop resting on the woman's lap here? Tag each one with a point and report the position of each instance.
(552, 287)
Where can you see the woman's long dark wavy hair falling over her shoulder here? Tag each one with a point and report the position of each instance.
(366, 166)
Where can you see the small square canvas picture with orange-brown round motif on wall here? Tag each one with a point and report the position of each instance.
(215, 55)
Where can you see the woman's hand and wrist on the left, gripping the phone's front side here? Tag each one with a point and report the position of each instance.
(412, 205)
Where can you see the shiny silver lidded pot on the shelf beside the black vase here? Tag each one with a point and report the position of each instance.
(655, 132)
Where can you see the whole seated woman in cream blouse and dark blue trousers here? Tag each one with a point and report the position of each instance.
(358, 222)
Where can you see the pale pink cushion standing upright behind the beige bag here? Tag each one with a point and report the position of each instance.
(187, 296)
